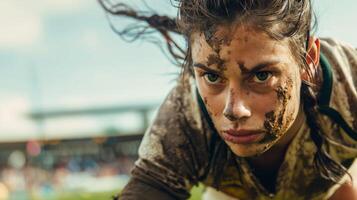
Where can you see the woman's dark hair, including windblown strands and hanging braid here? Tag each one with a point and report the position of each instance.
(280, 19)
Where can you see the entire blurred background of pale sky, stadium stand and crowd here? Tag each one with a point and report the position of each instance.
(75, 99)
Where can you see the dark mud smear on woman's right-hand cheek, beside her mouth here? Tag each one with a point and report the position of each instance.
(275, 119)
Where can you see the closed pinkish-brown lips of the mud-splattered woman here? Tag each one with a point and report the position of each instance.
(243, 136)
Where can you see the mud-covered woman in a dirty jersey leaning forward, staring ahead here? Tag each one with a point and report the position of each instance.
(262, 109)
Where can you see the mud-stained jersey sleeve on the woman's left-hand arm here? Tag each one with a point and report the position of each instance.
(173, 152)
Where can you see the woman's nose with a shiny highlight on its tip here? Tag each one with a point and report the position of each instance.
(236, 107)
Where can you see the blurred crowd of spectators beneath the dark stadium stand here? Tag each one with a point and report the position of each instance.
(28, 178)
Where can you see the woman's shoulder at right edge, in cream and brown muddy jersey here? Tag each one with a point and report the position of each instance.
(342, 65)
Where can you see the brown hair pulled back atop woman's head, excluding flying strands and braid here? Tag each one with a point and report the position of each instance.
(280, 19)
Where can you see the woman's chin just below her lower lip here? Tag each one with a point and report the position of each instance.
(247, 150)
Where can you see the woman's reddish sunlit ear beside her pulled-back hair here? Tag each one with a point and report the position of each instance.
(312, 58)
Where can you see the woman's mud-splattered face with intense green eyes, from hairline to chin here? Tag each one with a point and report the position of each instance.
(250, 85)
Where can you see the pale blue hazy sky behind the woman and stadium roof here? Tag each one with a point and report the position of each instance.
(58, 54)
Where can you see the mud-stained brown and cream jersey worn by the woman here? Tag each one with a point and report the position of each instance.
(181, 149)
